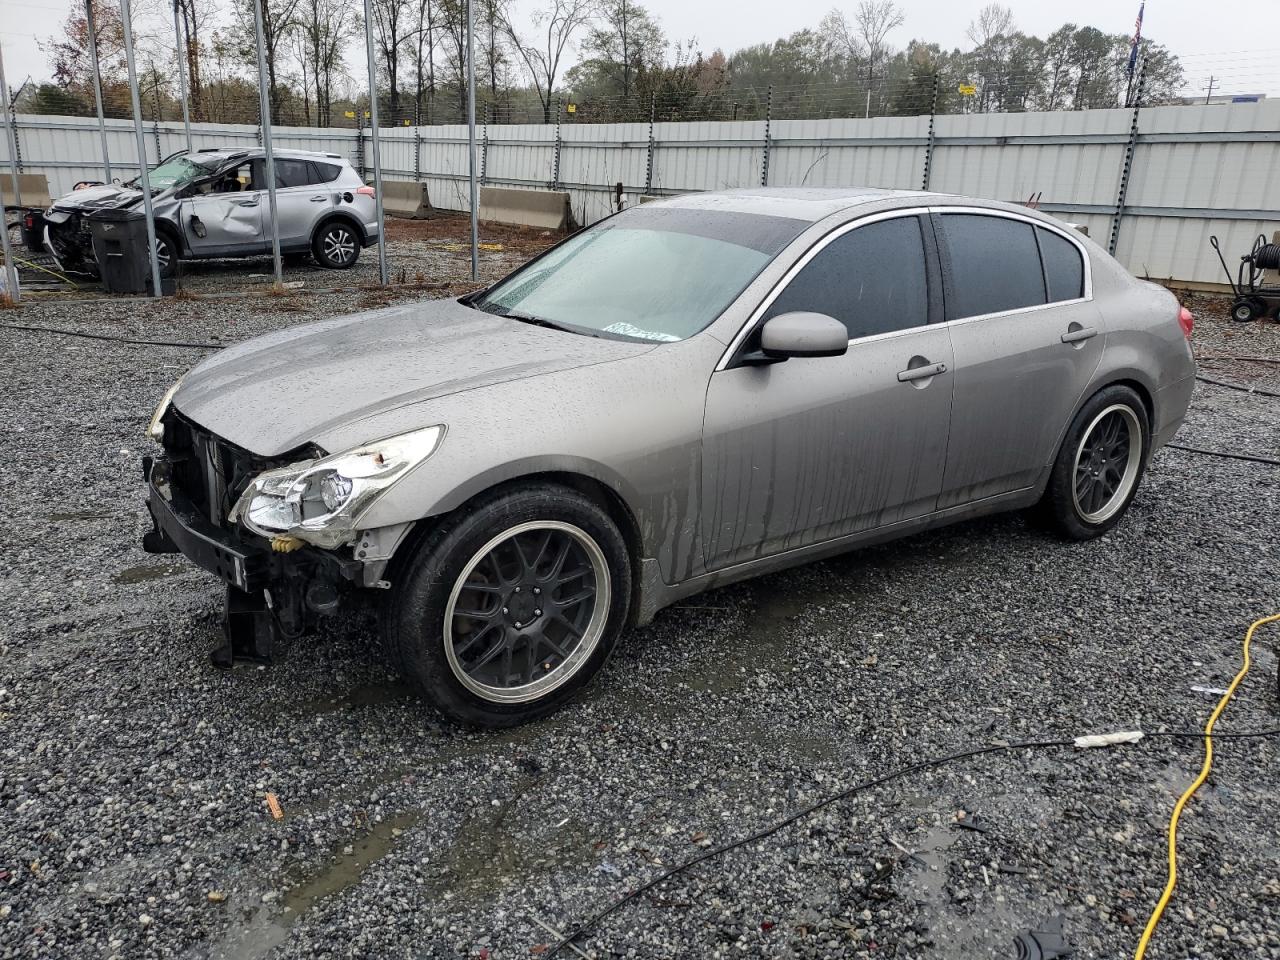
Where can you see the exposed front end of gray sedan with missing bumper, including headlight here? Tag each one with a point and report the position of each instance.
(282, 533)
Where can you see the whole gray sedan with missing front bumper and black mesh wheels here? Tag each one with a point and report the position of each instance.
(685, 395)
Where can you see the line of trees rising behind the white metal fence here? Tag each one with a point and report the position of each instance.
(578, 61)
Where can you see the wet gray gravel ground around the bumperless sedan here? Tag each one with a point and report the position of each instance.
(134, 776)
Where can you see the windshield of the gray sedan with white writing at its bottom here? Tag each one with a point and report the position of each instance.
(652, 273)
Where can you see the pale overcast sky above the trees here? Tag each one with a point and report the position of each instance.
(1236, 40)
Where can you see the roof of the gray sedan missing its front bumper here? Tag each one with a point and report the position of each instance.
(815, 204)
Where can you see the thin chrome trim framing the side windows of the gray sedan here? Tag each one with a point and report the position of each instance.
(762, 308)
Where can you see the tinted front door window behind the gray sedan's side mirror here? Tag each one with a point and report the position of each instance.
(872, 280)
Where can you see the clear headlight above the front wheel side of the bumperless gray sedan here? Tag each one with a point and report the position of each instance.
(321, 501)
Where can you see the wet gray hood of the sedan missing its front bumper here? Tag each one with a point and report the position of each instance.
(276, 394)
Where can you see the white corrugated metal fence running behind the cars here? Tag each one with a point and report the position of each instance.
(1196, 171)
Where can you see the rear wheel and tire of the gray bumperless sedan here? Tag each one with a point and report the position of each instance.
(1090, 488)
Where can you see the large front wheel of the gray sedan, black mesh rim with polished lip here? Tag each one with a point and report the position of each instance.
(514, 661)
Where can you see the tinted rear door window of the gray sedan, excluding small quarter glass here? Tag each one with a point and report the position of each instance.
(995, 266)
